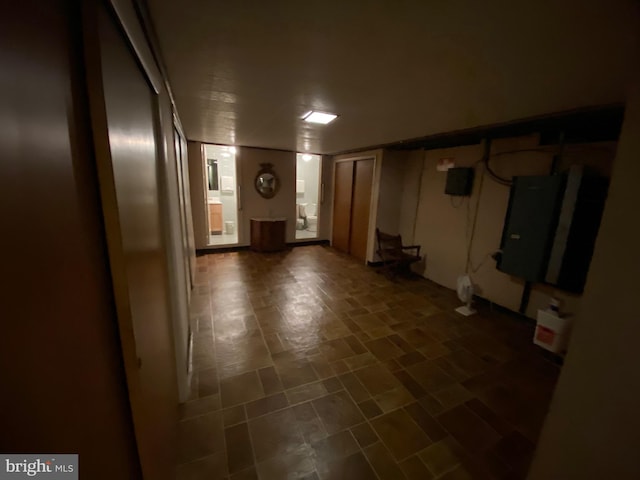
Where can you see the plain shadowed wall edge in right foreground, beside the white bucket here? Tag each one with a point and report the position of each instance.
(593, 426)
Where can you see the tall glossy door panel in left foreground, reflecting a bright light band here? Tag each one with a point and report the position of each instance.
(125, 111)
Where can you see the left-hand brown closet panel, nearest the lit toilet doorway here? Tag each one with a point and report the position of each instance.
(343, 189)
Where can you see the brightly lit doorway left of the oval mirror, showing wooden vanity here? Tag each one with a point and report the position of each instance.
(222, 203)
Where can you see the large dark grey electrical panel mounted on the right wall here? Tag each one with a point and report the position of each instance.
(551, 226)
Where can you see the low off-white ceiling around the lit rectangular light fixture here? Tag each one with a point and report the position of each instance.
(244, 72)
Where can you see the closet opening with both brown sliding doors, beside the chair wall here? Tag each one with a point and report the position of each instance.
(352, 206)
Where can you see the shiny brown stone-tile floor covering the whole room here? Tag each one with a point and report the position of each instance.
(310, 365)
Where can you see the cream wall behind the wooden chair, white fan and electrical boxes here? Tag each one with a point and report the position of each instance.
(443, 225)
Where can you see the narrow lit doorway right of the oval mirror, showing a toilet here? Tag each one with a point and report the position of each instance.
(307, 195)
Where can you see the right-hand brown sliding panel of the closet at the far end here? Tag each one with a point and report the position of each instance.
(360, 208)
